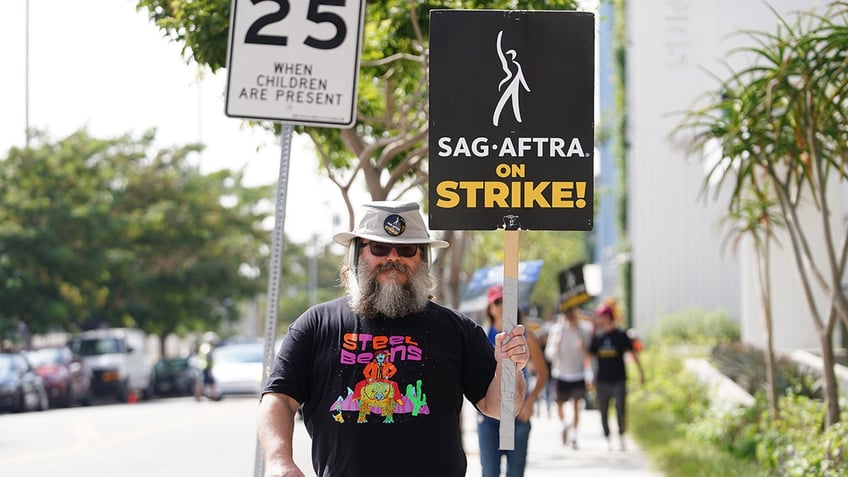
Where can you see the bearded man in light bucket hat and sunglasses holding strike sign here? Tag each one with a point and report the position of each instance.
(439, 357)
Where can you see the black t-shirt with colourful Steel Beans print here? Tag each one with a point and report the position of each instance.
(383, 395)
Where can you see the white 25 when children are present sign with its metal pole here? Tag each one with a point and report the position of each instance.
(321, 52)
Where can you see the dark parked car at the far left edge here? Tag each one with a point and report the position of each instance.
(21, 388)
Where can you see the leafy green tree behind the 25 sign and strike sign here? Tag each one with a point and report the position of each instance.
(388, 146)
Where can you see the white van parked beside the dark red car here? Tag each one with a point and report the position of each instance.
(120, 359)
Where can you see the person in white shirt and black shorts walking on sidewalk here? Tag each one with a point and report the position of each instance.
(568, 351)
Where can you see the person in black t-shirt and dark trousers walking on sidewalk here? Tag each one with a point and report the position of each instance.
(609, 346)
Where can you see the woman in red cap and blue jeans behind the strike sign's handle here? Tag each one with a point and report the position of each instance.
(488, 429)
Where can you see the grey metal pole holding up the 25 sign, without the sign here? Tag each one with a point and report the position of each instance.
(278, 245)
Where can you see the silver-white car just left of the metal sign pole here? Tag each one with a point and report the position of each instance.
(238, 368)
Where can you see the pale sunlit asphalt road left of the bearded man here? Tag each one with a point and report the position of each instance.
(161, 437)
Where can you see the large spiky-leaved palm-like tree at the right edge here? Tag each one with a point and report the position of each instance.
(781, 125)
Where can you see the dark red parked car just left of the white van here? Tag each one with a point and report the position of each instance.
(66, 376)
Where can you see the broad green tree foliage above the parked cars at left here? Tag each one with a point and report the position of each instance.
(102, 230)
